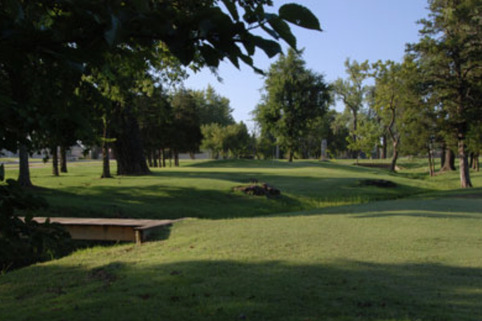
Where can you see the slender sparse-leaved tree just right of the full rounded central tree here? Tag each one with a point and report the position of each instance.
(352, 92)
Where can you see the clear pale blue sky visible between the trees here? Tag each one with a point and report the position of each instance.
(357, 29)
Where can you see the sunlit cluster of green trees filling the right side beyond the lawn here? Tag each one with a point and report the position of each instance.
(431, 98)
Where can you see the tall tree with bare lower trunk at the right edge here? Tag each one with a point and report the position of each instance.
(451, 52)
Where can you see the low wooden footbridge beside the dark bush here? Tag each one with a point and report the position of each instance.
(108, 229)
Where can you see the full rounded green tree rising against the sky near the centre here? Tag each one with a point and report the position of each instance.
(294, 97)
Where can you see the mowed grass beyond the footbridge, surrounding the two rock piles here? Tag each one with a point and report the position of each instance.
(205, 189)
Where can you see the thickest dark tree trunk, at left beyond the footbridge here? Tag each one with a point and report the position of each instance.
(128, 147)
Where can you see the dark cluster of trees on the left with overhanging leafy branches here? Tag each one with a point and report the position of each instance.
(78, 70)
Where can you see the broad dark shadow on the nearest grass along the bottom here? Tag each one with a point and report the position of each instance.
(228, 290)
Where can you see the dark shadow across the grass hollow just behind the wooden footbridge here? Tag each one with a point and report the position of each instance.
(162, 202)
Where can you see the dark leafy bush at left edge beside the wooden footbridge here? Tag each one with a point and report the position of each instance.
(24, 241)
